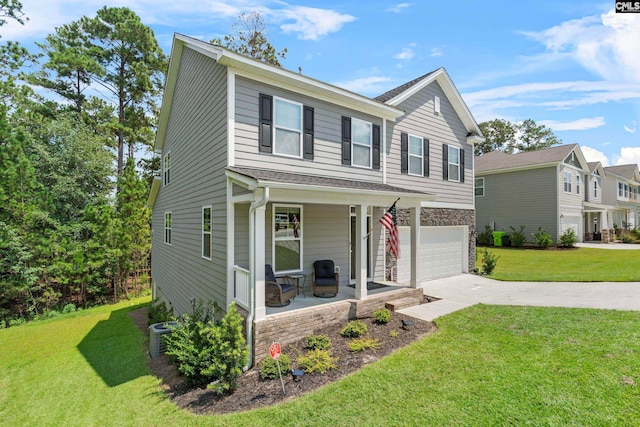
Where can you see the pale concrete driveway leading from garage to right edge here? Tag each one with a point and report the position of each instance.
(465, 290)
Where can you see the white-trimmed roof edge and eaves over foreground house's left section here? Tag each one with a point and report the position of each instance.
(270, 74)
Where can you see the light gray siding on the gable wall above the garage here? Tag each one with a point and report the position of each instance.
(443, 128)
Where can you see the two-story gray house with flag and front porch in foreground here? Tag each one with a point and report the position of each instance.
(261, 165)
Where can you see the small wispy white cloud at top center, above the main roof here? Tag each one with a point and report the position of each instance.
(311, 23)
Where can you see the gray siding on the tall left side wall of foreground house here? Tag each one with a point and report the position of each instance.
(196, 139)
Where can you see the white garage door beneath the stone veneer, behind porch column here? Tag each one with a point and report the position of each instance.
(442, 253)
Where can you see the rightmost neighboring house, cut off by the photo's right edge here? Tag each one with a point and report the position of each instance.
(621, 194)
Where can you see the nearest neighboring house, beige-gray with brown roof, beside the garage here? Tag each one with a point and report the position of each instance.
(543, 188)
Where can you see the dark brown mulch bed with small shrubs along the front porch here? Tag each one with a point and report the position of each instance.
(254, 393)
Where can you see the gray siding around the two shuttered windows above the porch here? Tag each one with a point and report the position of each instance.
(327, 135)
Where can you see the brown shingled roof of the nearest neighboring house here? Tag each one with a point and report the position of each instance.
(499, 161)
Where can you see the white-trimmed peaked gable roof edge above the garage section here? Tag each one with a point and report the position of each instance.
(399, 94)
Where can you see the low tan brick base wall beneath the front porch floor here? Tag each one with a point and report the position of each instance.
(292, 326)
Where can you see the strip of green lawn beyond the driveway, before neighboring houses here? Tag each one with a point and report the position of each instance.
(566, 265)
